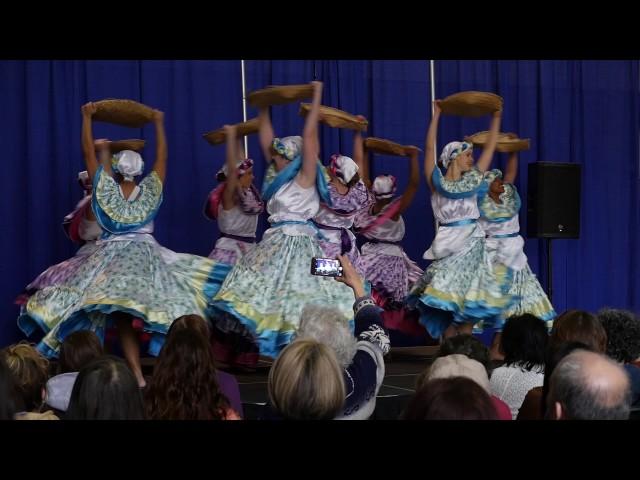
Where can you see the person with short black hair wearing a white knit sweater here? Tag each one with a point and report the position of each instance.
(523, 343)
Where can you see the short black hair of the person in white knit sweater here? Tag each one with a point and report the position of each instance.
(524, 341)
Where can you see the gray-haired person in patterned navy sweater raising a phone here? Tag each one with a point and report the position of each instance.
(361, 357)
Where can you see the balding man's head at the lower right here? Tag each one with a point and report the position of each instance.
(589, 386)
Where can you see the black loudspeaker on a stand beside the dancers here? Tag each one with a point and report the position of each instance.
(553, 200)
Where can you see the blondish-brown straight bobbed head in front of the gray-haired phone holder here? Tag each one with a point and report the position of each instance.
(306, 382)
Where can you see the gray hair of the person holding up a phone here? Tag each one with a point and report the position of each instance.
(329, 326)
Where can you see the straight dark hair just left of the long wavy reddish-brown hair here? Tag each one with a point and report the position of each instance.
(105, 389)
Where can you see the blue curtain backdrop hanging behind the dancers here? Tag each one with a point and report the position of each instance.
(574, 111)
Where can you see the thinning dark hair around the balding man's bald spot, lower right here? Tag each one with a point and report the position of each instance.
(582, 399)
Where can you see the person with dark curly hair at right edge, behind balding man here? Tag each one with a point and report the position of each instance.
(623, 344)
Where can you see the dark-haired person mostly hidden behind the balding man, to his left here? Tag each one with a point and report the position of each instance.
(534, 405)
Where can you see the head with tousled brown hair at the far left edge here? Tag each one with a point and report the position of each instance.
(30, 373)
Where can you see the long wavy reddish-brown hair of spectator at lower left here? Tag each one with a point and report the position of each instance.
(184, 384)
